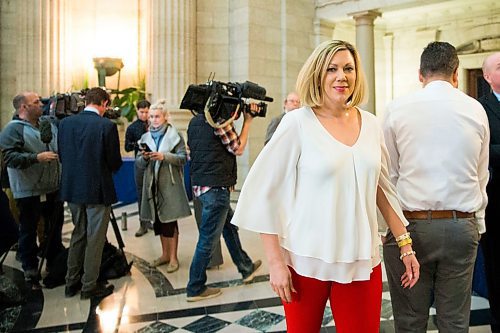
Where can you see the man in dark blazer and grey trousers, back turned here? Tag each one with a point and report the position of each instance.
(89, 150)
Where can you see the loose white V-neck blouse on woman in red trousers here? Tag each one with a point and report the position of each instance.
(319, 196)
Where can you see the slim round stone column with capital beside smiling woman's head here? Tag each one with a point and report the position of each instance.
(366, 48)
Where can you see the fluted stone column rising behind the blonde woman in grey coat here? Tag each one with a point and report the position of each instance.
(172, 60)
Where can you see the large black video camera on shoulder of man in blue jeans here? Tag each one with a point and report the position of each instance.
(223, 102)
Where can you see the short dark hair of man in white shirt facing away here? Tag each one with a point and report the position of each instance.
(438, 58)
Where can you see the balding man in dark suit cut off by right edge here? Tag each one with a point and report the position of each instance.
(490, 242)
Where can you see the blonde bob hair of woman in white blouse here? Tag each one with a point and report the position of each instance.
(311, 77)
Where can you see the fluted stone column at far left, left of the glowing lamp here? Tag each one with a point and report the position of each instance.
(41, 63)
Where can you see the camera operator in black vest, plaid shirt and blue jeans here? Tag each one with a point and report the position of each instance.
(213, 173)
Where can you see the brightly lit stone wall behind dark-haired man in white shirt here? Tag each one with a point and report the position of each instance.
(402, 36)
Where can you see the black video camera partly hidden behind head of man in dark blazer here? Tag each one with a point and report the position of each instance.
(67, 104)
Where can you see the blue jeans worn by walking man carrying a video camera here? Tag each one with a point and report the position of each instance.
(216, 216)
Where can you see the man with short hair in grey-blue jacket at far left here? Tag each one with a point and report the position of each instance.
(34, 170)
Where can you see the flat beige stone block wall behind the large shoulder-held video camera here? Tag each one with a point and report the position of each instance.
(264, 41)
